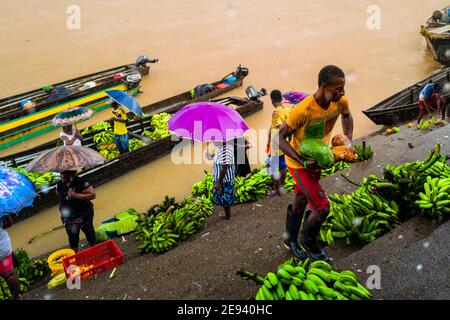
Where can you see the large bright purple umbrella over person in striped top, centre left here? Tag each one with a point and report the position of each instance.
(208, 121)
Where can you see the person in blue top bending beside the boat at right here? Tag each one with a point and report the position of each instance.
(430, 98)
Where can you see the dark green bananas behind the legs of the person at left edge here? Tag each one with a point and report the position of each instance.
(27, 273)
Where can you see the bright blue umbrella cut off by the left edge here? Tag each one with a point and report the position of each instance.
(16, 191)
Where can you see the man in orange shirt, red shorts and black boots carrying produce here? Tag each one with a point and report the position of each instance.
(313, 118)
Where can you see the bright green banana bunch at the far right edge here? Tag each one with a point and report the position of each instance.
(435, 200)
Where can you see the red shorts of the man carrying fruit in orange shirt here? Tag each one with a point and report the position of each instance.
(307, 186)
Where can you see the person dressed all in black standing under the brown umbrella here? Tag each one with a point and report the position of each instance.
(76, 208)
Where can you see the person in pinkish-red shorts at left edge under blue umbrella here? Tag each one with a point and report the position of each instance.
(6, 263)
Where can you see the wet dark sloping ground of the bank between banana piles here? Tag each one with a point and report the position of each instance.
(413, 258)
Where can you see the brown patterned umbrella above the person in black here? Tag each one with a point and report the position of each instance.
(65, 158)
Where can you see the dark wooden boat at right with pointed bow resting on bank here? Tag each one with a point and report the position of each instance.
(404, 105)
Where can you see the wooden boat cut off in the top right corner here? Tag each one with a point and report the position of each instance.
(437, 36)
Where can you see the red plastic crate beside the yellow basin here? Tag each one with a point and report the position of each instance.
(103, 256)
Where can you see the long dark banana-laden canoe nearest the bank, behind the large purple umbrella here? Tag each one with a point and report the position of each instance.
(129, 161)
